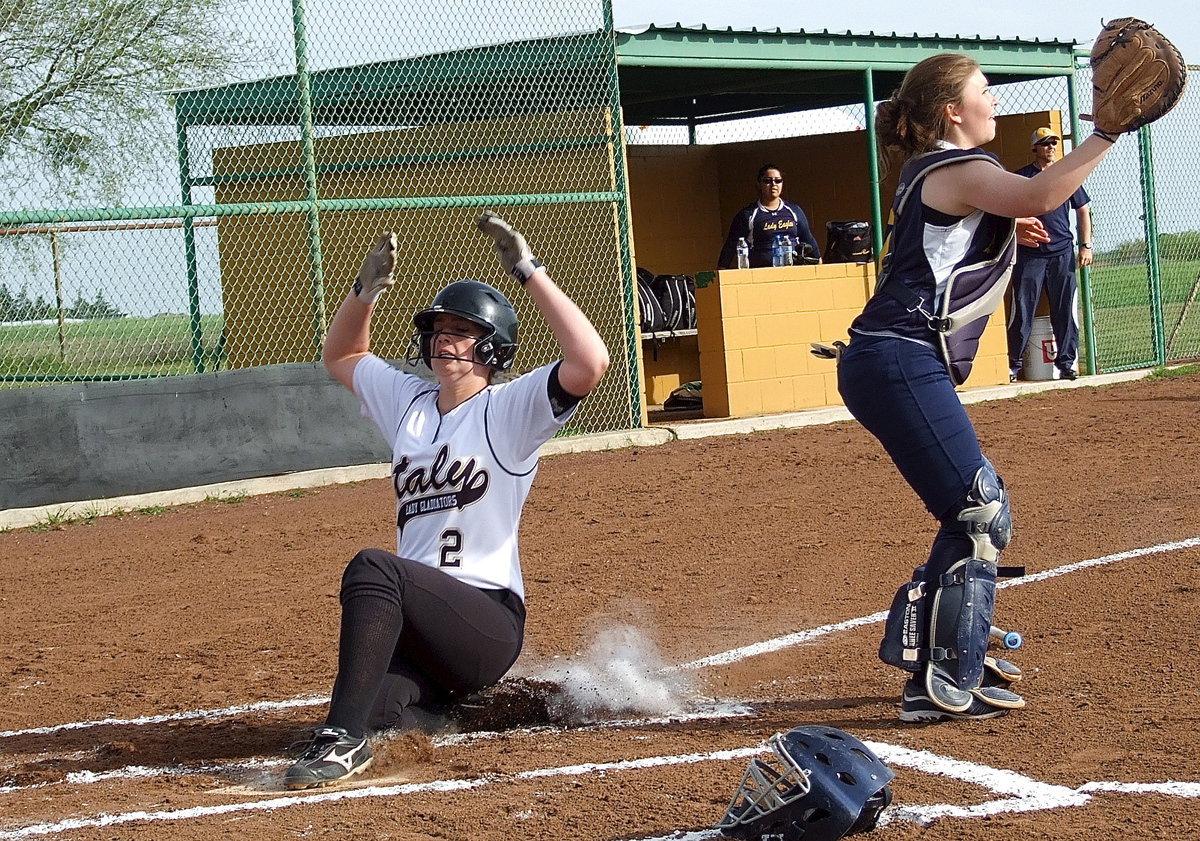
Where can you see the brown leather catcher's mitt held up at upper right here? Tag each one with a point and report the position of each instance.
(1137, 77)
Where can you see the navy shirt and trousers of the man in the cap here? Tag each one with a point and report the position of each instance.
(1051, 267)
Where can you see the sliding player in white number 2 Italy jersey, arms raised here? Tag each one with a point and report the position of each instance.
(446, 615)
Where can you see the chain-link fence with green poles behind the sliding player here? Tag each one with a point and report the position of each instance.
(235, 238)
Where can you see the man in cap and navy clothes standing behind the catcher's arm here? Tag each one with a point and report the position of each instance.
(1051, 267)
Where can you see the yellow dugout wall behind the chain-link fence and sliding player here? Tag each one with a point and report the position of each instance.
(266, 274)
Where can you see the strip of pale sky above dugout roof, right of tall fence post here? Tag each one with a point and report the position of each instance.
(1070, 21)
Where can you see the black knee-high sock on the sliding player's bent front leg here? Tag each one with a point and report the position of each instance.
(370, 629)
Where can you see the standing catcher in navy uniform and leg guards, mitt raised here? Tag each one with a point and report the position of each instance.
(950, 250)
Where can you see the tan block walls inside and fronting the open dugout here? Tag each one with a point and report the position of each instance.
(683, 200)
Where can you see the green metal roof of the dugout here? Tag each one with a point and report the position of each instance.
(667, 75)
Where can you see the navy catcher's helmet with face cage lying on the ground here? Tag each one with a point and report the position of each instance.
(820, 785)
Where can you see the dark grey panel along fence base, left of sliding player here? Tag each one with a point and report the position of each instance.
(95, 441)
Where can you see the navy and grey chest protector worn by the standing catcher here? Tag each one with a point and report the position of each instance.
(975, 287)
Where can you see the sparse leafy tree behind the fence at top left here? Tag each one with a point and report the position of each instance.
(82, 81)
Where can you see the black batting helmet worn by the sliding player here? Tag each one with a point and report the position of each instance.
(483, 305)
